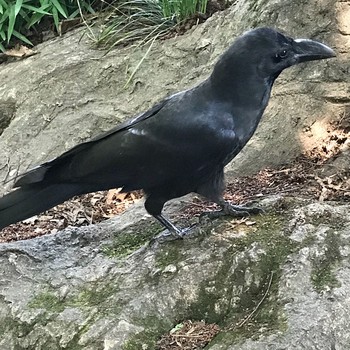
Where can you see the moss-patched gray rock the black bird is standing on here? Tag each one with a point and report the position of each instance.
(78, 290)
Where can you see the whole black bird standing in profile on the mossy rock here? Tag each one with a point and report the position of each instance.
(181, 145)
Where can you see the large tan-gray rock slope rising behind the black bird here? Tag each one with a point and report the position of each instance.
(69, 92)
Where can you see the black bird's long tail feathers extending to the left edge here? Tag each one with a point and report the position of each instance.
(33, 199)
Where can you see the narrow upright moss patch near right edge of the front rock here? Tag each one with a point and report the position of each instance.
(322, 275)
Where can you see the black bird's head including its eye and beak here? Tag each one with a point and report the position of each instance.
(264, 53)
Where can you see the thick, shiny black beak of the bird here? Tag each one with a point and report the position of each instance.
(309, 50)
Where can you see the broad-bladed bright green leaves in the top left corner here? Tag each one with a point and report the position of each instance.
(18, 16)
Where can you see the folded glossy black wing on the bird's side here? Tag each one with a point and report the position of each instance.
(181, 139)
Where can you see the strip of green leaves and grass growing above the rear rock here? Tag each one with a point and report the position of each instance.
(121, 21)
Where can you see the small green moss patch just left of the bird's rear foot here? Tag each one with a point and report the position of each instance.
(131, 239)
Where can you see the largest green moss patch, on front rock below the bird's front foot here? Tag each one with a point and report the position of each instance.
(217, 302)
